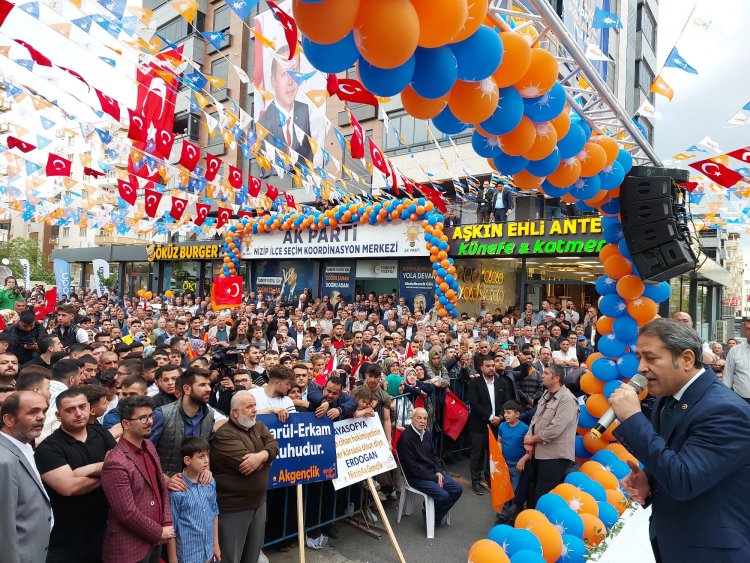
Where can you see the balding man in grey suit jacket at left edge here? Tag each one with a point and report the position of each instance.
(26, 512)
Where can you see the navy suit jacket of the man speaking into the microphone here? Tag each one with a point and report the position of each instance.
(699, 473)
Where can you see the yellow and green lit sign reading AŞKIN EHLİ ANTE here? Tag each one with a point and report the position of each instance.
(577, 236)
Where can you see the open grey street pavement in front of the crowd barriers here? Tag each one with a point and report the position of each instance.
(471, 519)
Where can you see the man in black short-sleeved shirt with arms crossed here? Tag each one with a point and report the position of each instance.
(70, 462)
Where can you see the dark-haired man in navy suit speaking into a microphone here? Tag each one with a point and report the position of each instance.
(695, 452)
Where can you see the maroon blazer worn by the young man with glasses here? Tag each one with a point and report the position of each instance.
(135, 524)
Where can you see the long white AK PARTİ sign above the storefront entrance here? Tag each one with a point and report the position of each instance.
(352, 241)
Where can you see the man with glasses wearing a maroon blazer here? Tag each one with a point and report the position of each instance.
(140, 520)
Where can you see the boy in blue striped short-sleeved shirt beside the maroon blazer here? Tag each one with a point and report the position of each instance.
(195, 514)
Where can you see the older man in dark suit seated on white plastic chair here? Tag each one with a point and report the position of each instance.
(421, 466)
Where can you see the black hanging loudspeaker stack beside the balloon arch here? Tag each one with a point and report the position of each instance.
(654, 225)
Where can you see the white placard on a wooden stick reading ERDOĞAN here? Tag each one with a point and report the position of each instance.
(362, 450)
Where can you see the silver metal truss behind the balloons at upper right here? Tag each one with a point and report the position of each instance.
(587, 93)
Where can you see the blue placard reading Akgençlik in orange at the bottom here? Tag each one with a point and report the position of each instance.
(307, 449)
